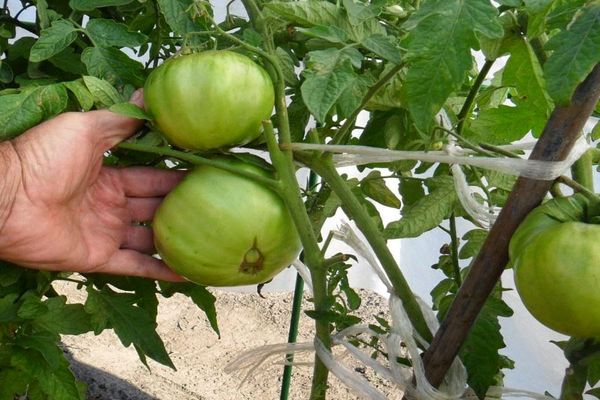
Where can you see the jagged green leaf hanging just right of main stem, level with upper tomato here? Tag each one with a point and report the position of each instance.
(329, 73)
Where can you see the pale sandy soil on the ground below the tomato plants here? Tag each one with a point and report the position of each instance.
(246, 321)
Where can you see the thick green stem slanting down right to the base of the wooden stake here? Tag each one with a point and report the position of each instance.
(357, 212)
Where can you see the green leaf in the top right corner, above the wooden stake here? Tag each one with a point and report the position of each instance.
(576, 50)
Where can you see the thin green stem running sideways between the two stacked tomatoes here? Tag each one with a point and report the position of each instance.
(197, 160)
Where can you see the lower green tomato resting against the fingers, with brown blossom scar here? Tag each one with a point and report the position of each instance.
(217, 228)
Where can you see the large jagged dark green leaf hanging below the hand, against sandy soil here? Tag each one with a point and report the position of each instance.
(131, 323)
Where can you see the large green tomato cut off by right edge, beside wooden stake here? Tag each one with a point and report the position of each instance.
(556, 260)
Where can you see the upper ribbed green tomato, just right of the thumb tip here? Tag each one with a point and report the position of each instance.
(209, 100)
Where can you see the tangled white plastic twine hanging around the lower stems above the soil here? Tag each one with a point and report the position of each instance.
(401, 341)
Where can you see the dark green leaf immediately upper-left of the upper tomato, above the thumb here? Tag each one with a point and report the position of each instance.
(113, 65)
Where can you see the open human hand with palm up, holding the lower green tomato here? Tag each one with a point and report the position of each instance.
(71, 213)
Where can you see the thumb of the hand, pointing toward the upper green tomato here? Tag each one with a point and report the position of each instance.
(113, 127)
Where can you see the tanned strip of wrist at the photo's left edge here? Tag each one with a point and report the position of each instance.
(10, 165)
